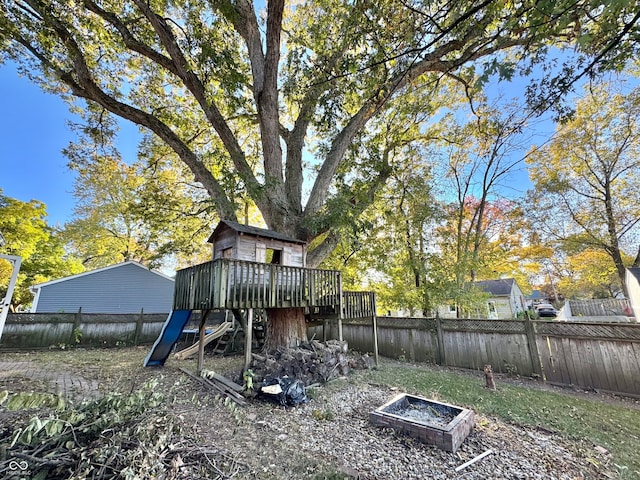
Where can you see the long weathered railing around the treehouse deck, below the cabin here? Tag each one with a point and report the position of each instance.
(227, 283)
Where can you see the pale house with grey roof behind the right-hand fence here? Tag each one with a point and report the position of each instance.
(506, 300)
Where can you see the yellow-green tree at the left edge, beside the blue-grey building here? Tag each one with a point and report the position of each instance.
(24, 227)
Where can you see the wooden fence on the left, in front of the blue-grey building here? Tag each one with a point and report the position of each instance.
(44, 330)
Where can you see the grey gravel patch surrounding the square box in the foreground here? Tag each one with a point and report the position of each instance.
(332, 433)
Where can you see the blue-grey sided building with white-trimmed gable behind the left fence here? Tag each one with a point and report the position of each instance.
(127, 287)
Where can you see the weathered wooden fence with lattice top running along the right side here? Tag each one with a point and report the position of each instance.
(603, 356)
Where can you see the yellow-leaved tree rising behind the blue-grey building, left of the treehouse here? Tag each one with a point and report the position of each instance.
(143, 211)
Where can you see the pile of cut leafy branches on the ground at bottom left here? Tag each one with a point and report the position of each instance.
(117, 436)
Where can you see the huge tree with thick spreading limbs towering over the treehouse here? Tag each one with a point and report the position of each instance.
(241, 94)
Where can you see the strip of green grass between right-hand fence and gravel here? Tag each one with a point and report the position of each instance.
(609, 424)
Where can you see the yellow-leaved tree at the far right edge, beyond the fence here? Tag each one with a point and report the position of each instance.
(586, 178)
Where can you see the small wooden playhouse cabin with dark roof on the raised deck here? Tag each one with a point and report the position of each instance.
(235, 241)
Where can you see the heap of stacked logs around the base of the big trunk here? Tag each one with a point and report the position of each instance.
(310, 363)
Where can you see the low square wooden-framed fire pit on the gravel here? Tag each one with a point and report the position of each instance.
(439, 424)
